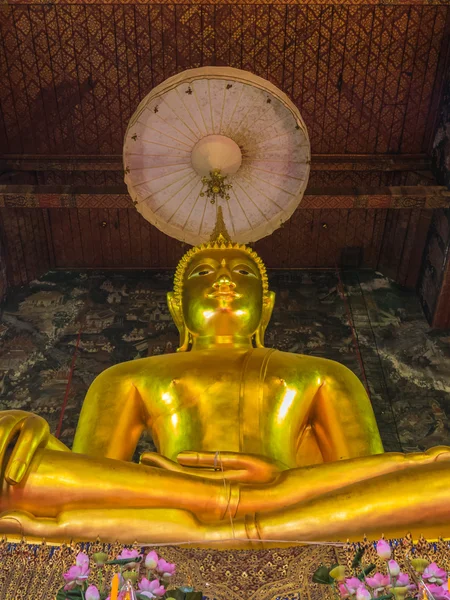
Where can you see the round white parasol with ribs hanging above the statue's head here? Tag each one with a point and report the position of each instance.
(216, 136)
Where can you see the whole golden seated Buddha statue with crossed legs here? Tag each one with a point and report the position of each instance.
(253, 443)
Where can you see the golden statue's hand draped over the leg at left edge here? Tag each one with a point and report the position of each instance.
(25, 433)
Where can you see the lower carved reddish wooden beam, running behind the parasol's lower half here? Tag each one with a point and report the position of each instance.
(325, 197)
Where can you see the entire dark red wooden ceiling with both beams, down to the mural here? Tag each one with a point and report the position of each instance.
(367, 76)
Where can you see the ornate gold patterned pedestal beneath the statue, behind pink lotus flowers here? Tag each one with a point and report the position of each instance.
(35, 571)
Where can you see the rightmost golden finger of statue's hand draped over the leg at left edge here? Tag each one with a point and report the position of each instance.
(34, 432)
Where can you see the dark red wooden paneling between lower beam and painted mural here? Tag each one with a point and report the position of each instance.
(68, 238)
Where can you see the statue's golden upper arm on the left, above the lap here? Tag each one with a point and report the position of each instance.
(113, 416)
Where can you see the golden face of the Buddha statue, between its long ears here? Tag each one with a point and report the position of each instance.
(222, 294)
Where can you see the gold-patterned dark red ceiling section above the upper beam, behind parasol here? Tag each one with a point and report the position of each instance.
(365, 77)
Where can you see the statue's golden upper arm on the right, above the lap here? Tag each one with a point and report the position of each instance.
(342, 417)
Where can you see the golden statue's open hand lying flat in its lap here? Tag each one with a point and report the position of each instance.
(232, 466)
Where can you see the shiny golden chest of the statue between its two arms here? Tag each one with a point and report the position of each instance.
(233, 403)
